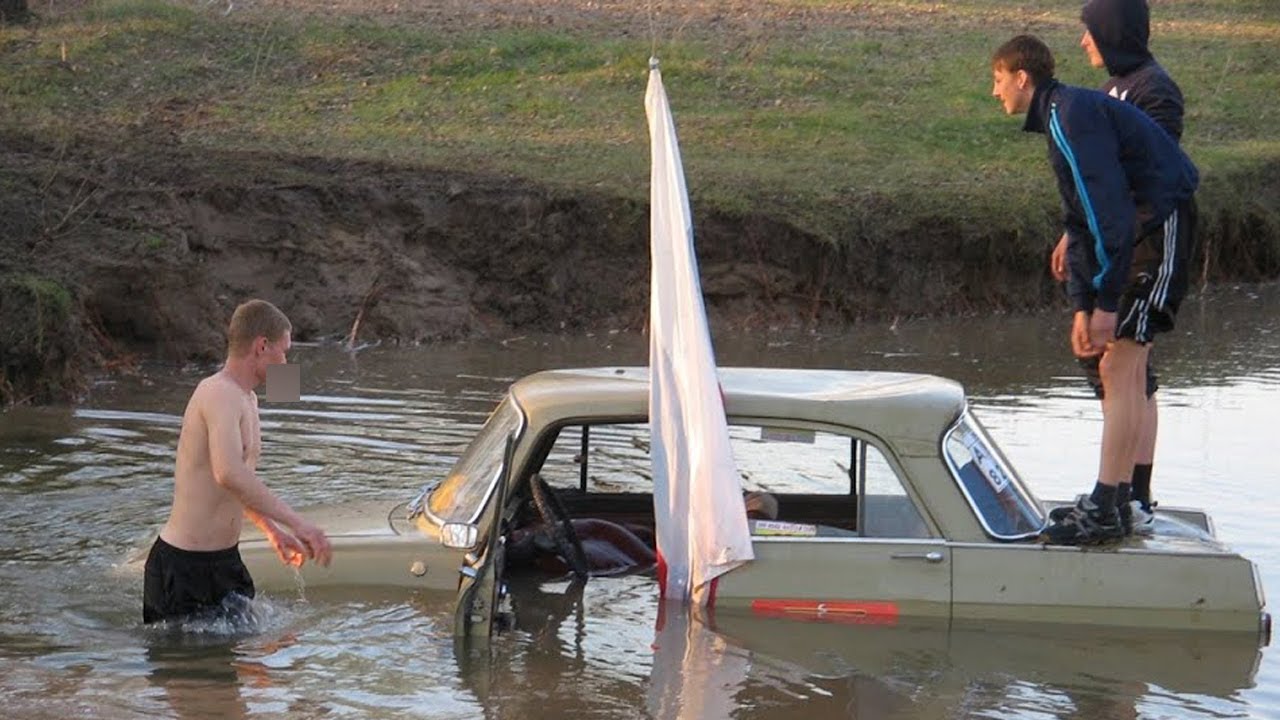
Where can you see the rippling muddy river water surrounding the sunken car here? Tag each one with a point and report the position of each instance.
(83, 489)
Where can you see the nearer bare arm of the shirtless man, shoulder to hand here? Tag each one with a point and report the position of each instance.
(227, 461)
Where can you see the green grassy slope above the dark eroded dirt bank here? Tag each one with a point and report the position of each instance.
(872, 124)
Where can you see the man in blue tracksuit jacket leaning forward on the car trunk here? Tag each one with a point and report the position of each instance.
(1128, 208)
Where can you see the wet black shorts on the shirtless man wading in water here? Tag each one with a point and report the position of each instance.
(184, 585)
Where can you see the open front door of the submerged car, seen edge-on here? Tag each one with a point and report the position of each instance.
(481, 587)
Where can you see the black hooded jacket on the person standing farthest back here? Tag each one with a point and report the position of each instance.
(1122, 30)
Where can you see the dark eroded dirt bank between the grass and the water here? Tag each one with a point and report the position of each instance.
(113, 254)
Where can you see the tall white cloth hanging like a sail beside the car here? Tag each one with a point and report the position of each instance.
(698, 500)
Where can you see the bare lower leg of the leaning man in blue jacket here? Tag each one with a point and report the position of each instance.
(1124, 382)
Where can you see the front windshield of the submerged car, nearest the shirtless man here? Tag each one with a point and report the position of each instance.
(467, 489)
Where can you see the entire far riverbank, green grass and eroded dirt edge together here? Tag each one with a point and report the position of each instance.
(440, 171)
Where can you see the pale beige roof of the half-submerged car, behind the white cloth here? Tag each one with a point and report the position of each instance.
(908, 411)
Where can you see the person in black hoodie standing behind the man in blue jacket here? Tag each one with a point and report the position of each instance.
(1117, 34)
